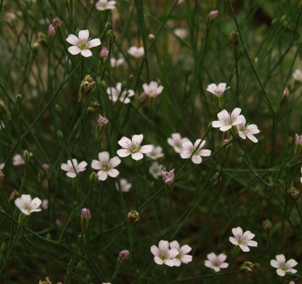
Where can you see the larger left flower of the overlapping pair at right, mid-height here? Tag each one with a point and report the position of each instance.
(227, 120)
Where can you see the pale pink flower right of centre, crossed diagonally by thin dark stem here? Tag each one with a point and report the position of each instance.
(196, 151)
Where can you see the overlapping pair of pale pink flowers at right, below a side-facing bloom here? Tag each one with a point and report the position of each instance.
(227, 121)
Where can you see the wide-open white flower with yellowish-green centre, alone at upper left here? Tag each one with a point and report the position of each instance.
(82, 43)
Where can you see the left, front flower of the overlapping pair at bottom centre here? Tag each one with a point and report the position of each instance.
(164, 255)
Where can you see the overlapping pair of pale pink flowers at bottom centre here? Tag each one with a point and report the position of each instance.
(171, 254)
